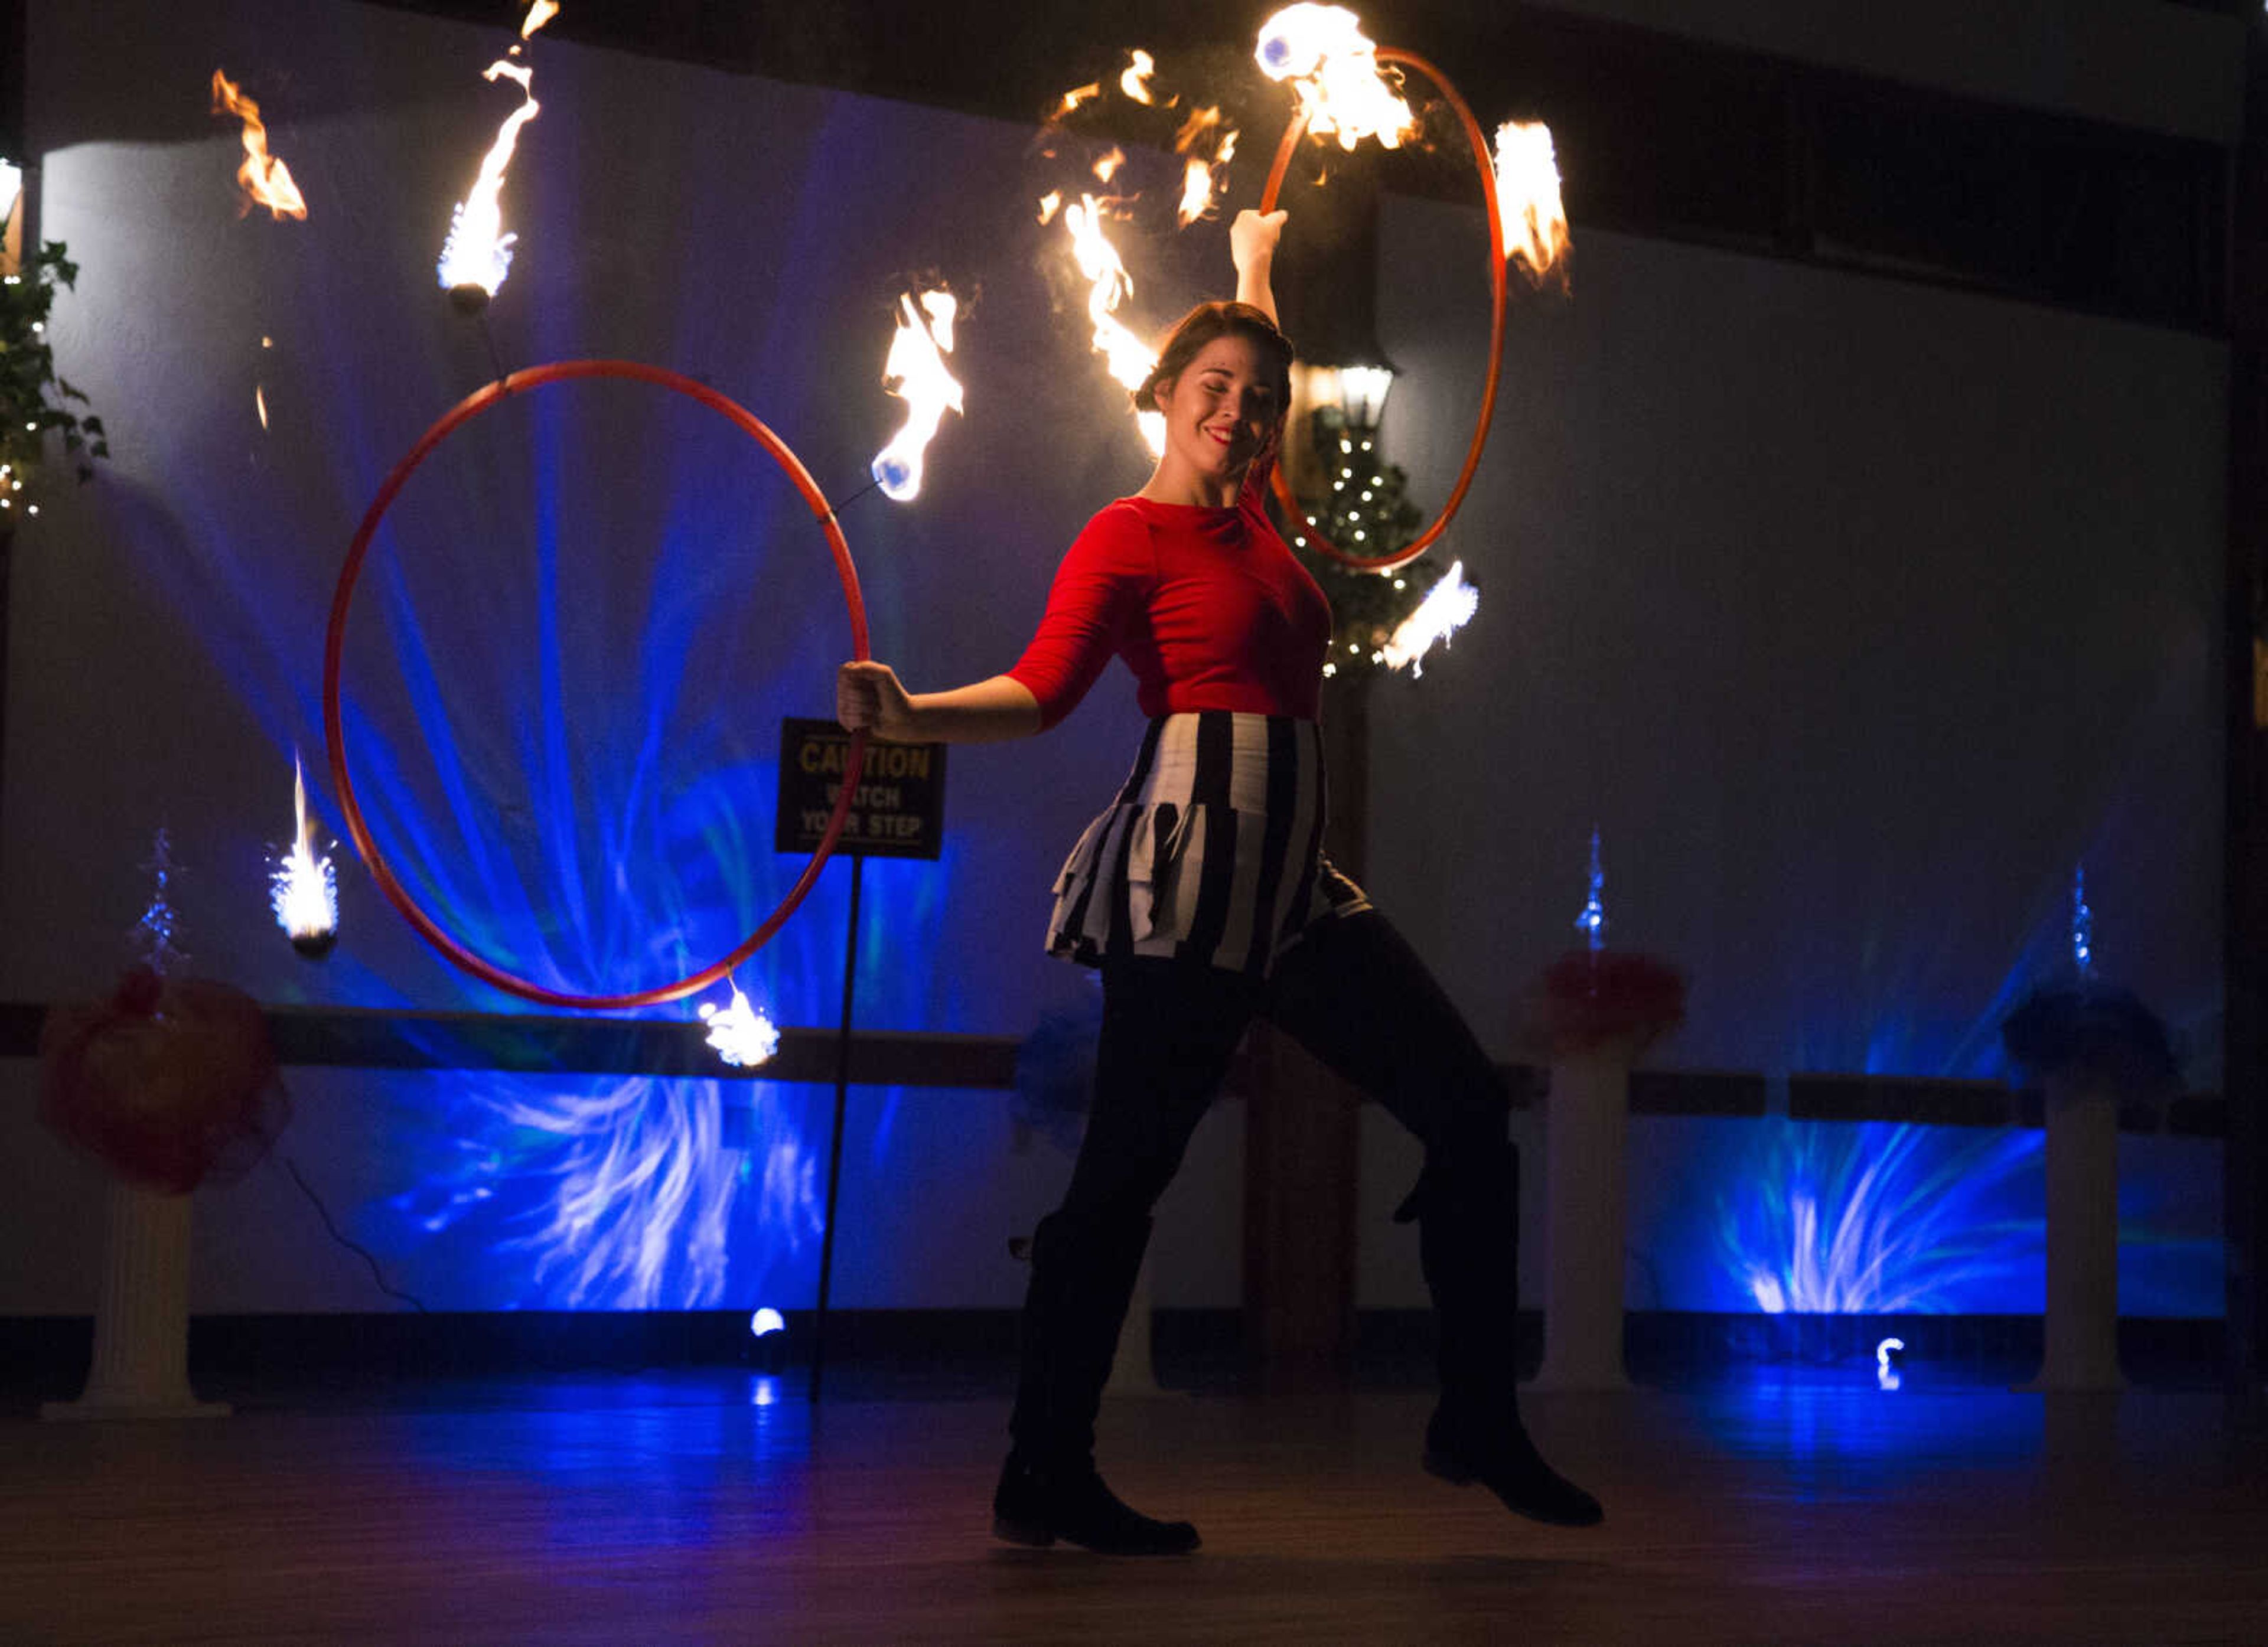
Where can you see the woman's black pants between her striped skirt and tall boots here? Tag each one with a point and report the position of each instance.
(1353, 993)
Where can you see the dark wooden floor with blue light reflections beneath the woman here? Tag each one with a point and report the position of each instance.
(718, 1507)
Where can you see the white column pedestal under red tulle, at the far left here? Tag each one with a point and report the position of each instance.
(142, 1315)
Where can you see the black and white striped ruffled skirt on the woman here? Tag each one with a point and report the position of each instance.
(1210, 854)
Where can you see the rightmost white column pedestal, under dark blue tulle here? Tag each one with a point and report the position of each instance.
(2081, 1324)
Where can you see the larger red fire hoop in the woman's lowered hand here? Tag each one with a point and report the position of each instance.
(337, 639)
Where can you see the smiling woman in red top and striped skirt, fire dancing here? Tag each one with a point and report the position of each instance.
(1205, 899)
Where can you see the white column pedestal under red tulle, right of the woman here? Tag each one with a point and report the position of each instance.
(1586, 1122)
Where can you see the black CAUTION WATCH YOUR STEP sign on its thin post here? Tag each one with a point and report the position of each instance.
(899, 811)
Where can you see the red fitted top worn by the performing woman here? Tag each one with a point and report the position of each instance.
(1208, 607)
